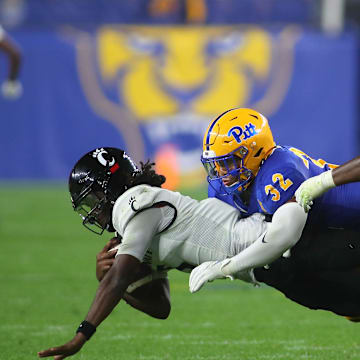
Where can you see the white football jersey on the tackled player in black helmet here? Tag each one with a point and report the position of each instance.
(196, 231)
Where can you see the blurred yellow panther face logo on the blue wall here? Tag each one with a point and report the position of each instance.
(169, 82)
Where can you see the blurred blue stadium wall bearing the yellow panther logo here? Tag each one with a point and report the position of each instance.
(153, 90)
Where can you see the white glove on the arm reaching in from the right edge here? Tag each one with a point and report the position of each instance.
(312, 188)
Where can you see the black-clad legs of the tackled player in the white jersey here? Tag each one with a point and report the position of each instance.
(322, 272)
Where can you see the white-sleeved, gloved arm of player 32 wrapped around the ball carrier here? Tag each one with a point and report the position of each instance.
(285, 230)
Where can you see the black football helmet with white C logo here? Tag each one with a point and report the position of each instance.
(96, 181)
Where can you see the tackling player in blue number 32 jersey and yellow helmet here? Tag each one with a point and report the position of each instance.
(249, 171)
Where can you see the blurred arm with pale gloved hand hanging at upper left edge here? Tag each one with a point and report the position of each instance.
(11, 88)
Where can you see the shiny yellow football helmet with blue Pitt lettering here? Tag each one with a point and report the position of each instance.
(235, 144)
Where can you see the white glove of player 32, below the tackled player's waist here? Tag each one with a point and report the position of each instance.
(207, 271)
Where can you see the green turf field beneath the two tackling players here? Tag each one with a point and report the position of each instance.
(48, 281)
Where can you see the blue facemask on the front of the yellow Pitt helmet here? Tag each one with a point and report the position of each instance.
(229, 169)
